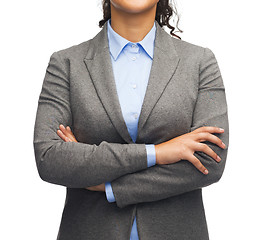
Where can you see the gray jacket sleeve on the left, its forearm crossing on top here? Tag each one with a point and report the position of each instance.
(75, 164)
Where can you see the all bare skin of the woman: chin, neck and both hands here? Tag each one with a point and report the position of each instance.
(133, 19)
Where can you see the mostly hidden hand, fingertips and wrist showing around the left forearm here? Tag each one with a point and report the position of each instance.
(66, 135)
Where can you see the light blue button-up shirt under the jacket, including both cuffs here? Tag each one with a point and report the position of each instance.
(131, 67)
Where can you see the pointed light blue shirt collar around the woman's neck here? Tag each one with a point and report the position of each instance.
(117, 42)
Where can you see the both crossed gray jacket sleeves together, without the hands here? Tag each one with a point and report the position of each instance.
(131, 179)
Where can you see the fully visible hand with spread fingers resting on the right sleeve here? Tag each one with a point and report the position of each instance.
(184, 146)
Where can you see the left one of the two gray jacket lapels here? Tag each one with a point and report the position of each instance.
(99, 65)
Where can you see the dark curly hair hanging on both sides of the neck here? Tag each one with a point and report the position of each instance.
(164, 11)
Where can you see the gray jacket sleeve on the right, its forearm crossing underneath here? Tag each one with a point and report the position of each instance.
(164, 181)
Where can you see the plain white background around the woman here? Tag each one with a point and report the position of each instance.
(236, 206)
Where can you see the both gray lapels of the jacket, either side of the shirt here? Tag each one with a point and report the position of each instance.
(99, 65)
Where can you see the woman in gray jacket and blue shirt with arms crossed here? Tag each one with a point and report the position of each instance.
(146, 128)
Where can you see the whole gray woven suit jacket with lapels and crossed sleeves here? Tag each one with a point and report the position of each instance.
(185, 91)
